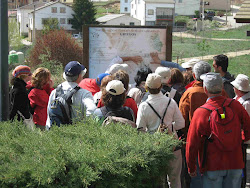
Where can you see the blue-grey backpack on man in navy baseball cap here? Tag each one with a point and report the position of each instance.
(60, 107)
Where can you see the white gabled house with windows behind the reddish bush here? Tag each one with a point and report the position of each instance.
(53, 10)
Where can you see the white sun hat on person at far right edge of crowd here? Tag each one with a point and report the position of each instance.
(241, 83)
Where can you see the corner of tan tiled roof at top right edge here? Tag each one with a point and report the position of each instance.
(243, 15)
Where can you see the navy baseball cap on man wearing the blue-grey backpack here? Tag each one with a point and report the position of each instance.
(74, 68)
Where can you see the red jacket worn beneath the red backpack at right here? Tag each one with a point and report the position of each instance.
(216, 159)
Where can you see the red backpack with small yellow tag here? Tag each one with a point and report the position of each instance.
(225, 126)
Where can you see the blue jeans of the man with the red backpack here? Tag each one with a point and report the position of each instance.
(222, 179)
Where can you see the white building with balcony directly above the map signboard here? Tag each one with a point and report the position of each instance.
(153, 12)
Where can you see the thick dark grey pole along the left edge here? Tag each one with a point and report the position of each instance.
(4, 73)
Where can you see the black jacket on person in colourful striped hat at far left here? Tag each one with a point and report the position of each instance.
(19, 100)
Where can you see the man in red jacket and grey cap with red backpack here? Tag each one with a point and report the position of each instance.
(222, 168)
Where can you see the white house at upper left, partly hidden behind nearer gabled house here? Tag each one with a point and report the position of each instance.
(23, 16)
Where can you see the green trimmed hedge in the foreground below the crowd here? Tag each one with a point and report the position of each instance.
(82, 155)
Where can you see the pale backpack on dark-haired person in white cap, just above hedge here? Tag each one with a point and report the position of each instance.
(115, 117)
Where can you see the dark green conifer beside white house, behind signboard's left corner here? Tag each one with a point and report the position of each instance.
(84, 14)
